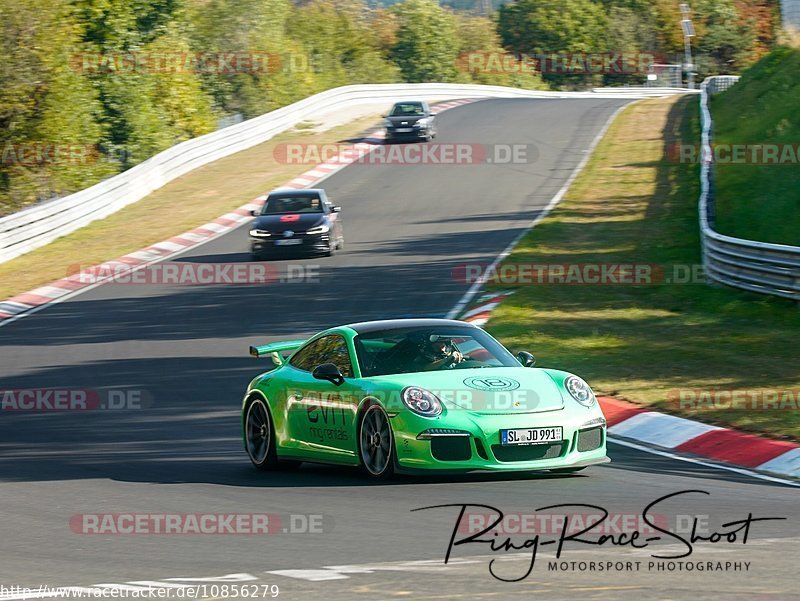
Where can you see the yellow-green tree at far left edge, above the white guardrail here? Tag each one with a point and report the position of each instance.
(44, 106)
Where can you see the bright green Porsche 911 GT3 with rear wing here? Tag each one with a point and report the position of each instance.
(409, 395)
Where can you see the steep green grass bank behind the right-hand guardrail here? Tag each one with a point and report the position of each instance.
(761, 202)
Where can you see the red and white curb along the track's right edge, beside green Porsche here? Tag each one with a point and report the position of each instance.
(631, 422)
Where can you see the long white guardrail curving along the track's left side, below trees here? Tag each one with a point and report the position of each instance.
(38, 225)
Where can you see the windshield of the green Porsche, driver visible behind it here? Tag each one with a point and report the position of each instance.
(407, 350)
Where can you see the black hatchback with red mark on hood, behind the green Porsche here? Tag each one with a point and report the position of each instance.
(297, 221)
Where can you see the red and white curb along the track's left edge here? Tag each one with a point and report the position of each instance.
(29, 302)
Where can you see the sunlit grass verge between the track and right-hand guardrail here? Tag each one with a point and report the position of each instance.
(646, 342)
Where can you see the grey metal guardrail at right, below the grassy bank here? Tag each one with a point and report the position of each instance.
(756, 266)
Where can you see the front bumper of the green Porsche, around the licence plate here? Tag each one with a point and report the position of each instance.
(471, 442)
